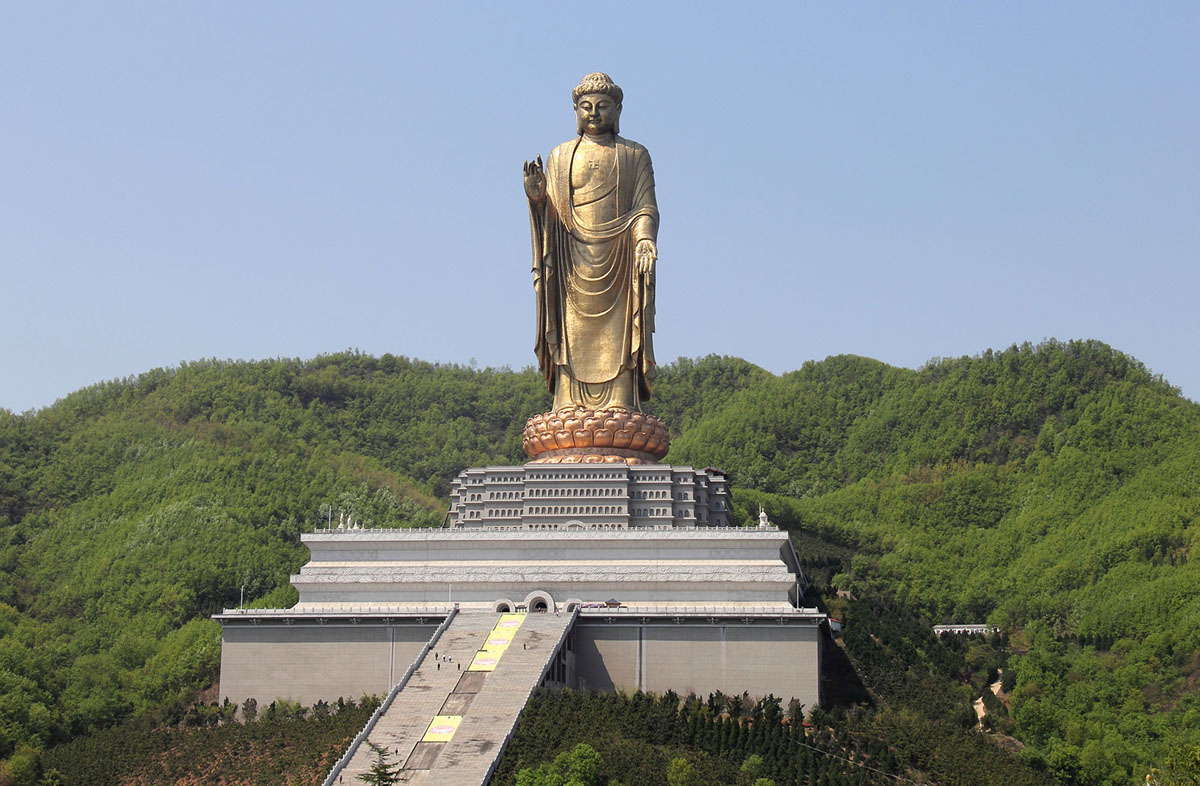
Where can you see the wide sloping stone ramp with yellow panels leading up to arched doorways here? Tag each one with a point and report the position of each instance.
(452, 721)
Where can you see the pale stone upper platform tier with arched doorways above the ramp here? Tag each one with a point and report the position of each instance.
(719, 568)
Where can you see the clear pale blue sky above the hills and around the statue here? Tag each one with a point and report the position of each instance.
(899, 181)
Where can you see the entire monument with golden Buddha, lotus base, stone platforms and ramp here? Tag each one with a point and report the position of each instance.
(593, 566)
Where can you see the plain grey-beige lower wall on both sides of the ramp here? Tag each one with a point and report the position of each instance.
(311, 663)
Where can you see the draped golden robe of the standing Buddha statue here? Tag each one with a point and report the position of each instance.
(596, 313)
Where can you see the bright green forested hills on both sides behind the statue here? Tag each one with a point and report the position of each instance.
(1052, 490)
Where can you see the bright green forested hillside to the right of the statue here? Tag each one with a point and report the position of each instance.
(1054, 491)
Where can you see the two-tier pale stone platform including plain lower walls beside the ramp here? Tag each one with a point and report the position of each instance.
(655, 608)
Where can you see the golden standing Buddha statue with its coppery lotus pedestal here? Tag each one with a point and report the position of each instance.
(595, 224)
